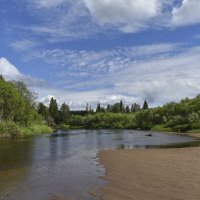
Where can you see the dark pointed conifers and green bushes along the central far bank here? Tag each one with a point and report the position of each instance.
(117, 115)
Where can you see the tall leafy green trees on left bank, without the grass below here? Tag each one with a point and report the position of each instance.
(17, 103)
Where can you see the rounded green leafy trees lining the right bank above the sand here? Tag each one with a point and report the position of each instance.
(182, 116)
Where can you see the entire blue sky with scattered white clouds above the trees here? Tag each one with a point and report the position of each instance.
(83, 51)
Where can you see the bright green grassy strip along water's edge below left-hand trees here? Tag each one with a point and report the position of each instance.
(10, 129)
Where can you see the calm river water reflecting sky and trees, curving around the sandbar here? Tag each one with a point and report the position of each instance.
(65, 164)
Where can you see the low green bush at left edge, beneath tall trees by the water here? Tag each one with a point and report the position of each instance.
(9, 129)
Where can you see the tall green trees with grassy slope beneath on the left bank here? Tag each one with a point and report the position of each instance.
(18, 113)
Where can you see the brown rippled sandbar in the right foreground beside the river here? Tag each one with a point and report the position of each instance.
(154, 174)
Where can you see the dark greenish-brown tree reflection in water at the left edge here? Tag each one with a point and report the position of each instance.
(15, 157)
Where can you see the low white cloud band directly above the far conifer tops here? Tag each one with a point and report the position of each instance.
(78, 100)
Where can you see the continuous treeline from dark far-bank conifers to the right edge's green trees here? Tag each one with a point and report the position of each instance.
(182, 116)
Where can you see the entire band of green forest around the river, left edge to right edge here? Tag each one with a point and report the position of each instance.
(21, 115)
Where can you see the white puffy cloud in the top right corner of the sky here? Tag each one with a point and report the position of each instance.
(188, 13)
